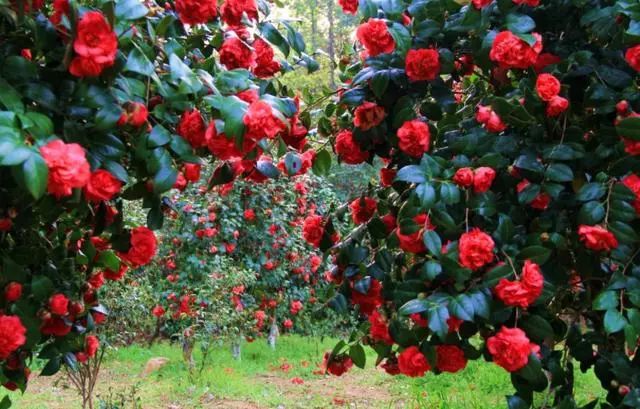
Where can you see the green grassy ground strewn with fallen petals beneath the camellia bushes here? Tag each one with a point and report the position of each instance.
(263, 379)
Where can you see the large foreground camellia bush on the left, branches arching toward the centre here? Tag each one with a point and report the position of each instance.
(111, 101)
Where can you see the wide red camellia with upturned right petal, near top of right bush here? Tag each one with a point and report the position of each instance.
(510, 51)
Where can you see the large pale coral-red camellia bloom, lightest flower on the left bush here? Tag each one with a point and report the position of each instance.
(68, 167)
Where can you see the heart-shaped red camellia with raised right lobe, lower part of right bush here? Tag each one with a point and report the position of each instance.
(522, 292)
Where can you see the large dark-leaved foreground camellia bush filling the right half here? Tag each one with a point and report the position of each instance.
(505, 225)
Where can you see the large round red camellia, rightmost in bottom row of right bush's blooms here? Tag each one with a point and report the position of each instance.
(510, 348)
